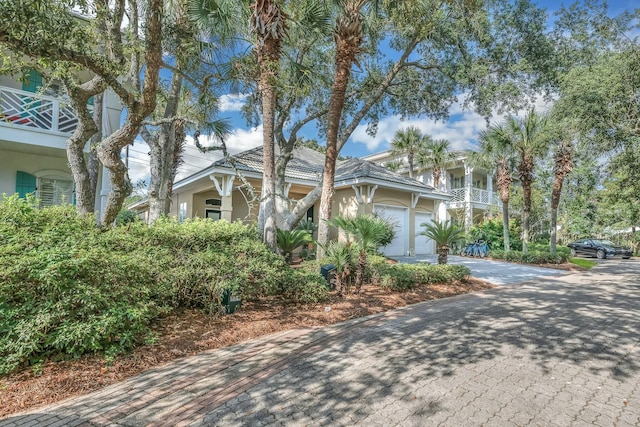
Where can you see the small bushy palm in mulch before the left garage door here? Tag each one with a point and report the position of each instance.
(368, 231)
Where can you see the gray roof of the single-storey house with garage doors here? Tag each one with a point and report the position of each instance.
(307, 164)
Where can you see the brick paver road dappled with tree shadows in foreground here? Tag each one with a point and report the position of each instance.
(561, 351)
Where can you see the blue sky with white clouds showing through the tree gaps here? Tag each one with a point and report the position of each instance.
(460, 129)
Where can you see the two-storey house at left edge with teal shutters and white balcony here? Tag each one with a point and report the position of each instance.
(35, 122)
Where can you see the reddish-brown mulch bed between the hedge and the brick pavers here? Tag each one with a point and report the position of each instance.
(190, 332)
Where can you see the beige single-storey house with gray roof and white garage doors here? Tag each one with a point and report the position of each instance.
(230, 190)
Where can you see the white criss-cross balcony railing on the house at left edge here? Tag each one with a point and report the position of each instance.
(30, 110)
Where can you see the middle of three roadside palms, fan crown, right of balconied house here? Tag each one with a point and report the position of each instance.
(528, 139)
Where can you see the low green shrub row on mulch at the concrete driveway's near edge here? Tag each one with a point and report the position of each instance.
(401, 277)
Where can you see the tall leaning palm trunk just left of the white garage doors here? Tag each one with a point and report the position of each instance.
(345, 55)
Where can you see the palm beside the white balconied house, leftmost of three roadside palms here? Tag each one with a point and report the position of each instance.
(496, 154)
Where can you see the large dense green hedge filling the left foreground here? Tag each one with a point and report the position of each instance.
(68, 287)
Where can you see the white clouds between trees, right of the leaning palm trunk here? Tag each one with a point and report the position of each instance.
(461, 130)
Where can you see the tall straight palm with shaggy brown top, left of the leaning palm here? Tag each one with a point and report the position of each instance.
(269, 24)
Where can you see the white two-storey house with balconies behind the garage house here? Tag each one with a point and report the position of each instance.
(472, 190)
